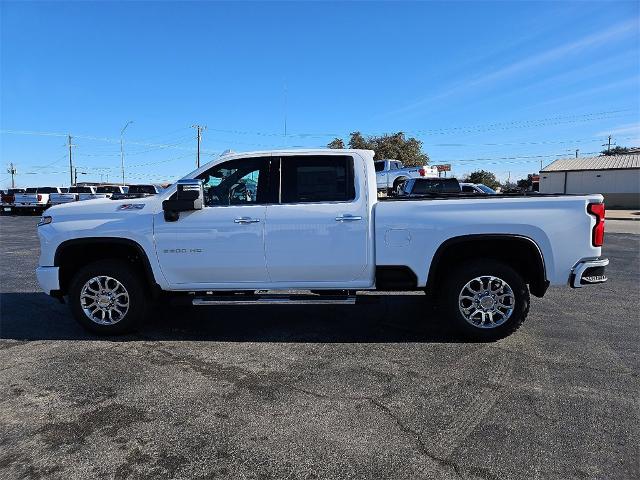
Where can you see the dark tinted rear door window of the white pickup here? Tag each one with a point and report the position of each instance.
(307, 179)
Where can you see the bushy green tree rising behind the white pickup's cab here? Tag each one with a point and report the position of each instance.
(395, 146)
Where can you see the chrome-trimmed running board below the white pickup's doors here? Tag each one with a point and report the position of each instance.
(274, 300)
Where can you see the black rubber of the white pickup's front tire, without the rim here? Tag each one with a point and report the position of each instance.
(120, 271)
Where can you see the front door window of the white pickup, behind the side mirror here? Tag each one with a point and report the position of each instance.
(237, 182)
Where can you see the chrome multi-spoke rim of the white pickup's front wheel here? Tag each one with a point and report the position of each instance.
(104, 300)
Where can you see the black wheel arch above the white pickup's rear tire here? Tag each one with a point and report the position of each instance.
(520, 251)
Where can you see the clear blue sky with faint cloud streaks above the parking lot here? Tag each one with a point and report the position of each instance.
(500, 86)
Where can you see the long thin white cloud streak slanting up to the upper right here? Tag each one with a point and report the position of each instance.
(549, 56)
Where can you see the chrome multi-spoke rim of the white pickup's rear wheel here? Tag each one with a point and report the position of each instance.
(486, 302)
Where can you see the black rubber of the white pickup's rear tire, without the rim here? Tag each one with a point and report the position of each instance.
(461, 275)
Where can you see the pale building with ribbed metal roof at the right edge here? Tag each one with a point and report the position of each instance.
(617, 177)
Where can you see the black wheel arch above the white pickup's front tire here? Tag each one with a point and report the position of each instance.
(73, 254)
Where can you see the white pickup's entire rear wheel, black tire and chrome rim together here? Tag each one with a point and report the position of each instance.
(486, 299)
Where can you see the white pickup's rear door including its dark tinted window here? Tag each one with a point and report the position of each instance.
(318, 233)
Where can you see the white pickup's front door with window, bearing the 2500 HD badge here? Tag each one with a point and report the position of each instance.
(222, 245)
